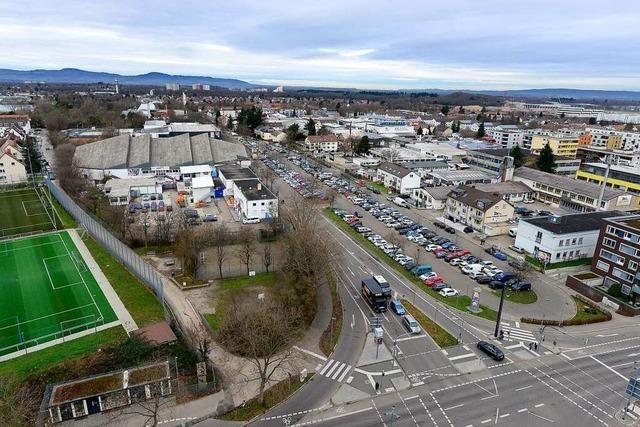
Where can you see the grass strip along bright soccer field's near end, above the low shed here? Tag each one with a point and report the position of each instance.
(31, 363)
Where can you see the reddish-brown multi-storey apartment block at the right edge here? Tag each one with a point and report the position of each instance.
(617, 253)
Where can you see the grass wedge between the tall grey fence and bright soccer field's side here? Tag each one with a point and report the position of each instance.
(139, 300)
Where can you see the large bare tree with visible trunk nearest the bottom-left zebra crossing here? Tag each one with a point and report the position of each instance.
(261, 333)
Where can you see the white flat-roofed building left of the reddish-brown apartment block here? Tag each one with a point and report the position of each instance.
(552, 239)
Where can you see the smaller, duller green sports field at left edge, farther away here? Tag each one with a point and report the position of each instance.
(22, 211)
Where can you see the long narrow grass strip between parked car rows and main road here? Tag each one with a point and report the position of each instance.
(461, 303)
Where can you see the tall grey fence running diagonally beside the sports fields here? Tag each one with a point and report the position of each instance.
(132, 261)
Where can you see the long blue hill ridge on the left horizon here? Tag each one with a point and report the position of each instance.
(74, 75)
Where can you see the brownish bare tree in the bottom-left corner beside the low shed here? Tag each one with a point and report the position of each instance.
(18, 403)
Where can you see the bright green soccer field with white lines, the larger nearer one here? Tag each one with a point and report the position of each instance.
(46, 292)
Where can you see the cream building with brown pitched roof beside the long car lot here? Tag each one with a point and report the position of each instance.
(485, 212)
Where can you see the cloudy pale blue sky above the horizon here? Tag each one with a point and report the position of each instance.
(454, 44)
